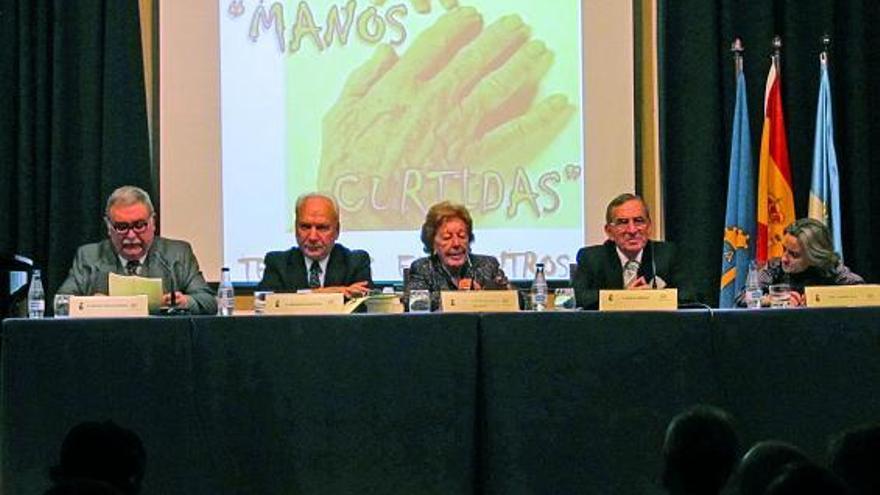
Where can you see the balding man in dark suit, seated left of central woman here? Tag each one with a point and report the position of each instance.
(318, 262)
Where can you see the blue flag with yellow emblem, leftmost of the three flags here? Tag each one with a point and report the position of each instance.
(739, 223)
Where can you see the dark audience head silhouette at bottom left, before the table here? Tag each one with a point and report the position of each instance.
(101, 451)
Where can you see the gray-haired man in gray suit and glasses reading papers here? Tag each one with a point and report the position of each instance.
(132, 248)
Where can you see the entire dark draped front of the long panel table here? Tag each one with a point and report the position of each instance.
(529, 403)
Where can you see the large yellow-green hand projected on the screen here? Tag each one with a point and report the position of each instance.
(461, 100)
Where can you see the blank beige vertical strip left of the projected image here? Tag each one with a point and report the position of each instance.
(189, 123)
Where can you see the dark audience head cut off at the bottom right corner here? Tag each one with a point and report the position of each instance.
(855, 457)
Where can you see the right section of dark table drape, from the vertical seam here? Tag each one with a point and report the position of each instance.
(579, 403)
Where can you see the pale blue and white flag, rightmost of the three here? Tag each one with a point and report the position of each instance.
(825, 186)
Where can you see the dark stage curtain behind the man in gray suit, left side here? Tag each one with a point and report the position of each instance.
(72, 123)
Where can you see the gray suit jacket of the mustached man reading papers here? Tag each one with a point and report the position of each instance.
(171, 260)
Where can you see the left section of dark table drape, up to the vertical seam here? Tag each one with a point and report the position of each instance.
(262, 405)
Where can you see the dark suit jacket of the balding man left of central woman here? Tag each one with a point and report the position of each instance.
(286, 270)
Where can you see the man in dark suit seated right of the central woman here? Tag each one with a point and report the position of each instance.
(628, 259)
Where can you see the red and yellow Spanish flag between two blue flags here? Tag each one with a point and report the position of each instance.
(775, 196)
